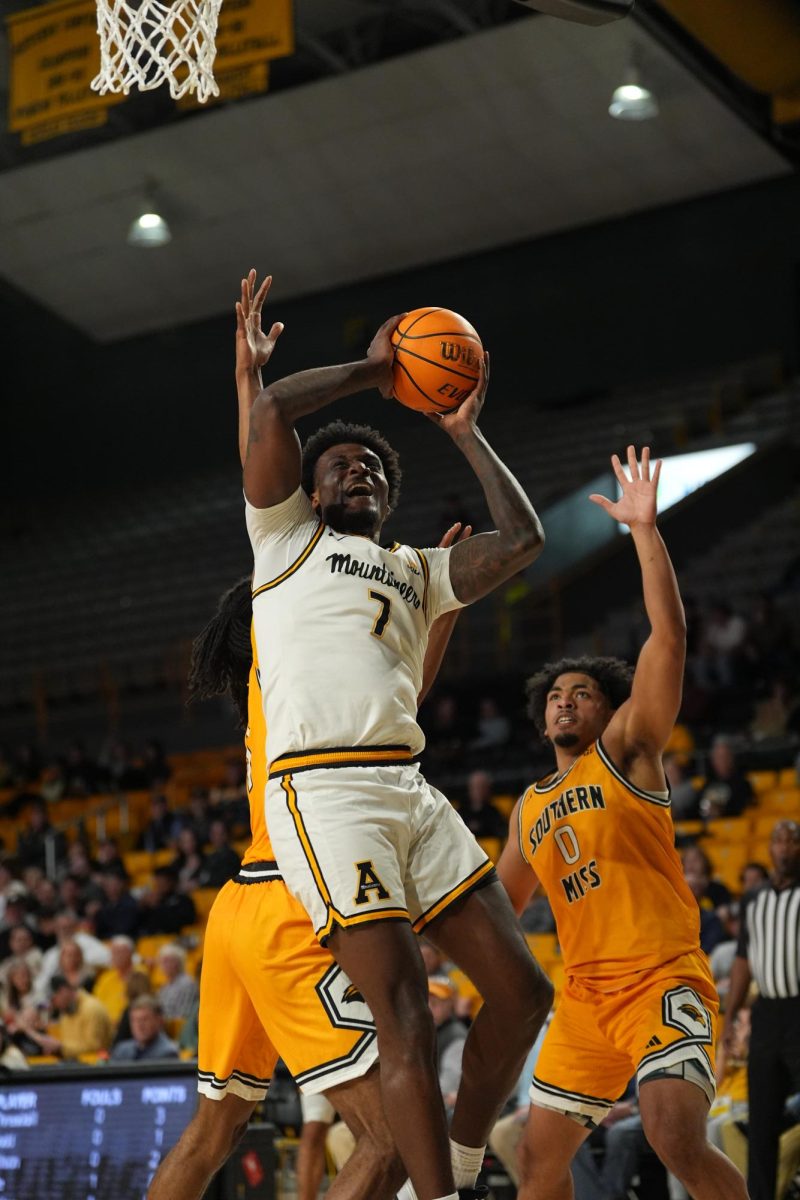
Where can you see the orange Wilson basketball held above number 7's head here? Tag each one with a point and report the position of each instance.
(437, 361)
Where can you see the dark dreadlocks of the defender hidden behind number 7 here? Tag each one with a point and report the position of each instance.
(222, 655)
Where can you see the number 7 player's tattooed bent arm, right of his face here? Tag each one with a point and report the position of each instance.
(479, 566)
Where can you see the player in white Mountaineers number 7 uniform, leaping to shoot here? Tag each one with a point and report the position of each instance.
(366, 845)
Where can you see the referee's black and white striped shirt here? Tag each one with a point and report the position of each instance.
(769, 939)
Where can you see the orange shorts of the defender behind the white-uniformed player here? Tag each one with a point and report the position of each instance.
(270, 991)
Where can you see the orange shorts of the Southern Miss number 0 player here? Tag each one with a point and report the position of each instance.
(666, 1023)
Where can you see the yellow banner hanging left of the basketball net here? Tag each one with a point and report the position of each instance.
(55, 57)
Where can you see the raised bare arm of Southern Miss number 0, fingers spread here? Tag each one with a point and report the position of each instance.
(643, 724)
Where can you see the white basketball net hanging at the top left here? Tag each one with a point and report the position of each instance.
(145, 44)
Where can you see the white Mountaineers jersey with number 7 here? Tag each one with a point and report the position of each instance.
(341, 629)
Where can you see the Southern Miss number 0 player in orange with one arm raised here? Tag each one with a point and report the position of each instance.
(598, 836)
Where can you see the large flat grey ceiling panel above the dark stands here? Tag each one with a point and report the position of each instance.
(494, 136)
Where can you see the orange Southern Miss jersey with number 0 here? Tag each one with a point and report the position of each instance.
(604, 851)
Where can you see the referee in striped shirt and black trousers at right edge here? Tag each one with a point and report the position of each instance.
(769, 953)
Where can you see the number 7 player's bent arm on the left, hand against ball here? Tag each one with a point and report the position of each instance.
(273, 457)
